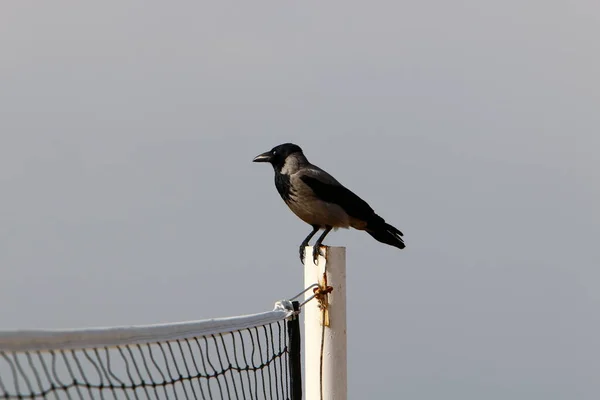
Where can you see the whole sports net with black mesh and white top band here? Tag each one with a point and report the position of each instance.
(250, 357)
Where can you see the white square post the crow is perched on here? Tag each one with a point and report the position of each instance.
(334, 341)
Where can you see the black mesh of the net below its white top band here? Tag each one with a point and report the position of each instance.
(260, 362)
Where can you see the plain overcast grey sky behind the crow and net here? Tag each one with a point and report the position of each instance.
(129, 196)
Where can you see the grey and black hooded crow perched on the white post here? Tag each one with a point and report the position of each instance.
(321, 201)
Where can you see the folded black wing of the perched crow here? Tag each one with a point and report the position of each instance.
(331, 191)
